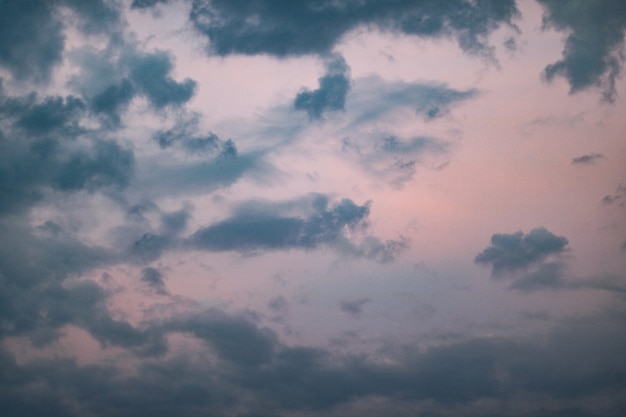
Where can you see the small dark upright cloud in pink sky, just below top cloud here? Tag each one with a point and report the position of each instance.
(332, 91)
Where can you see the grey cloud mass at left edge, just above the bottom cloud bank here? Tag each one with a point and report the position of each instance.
(36, 298)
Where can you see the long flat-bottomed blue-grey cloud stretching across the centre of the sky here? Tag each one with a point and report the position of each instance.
(305, 223)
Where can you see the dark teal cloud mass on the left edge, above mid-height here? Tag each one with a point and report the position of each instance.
(40, 152)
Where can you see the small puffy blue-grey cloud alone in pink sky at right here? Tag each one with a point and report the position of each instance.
(517, 251)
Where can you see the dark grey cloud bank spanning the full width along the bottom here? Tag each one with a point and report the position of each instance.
(252, 372)
